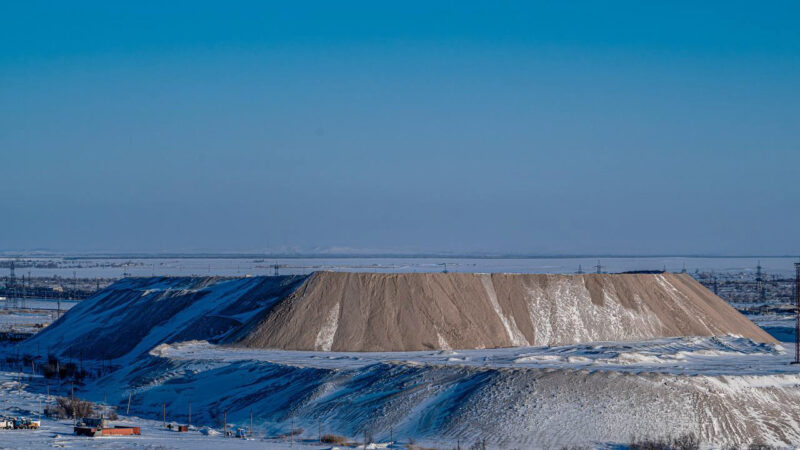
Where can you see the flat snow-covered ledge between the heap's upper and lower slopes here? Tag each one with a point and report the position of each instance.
(729, 355)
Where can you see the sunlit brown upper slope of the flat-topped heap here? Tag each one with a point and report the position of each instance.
(334, 311)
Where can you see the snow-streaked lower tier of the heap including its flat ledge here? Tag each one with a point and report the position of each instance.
(726, 390)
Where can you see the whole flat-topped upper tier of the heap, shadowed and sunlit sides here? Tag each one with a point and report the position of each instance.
(336, 311)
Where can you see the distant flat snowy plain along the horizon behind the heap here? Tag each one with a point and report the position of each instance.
(115, 267)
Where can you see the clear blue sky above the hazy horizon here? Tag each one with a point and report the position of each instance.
(513, 127)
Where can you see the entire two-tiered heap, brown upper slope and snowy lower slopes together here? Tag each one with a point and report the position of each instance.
(200, 341)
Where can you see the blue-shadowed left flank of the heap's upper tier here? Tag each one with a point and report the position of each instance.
(134, 315)
